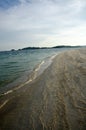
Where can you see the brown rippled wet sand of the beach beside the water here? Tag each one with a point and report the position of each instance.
(55, 100)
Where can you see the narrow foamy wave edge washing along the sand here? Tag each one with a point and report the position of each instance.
(38, 70)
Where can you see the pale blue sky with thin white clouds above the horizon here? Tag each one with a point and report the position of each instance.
(42, 23)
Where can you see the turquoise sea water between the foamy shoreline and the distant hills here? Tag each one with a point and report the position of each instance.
(15, 66)
